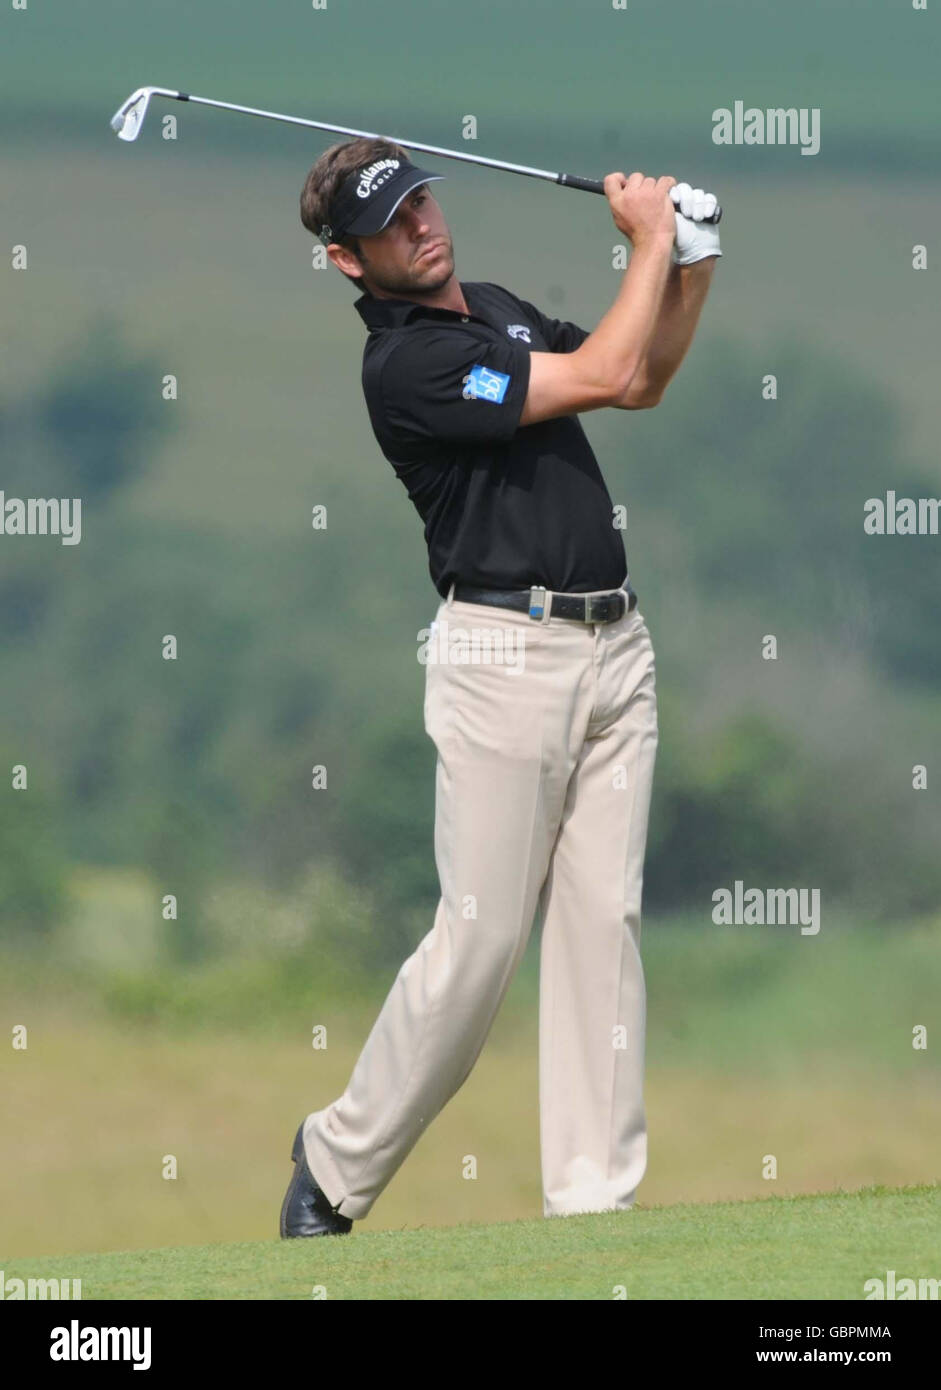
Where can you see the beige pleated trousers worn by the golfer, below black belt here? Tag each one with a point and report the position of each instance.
(544, 783)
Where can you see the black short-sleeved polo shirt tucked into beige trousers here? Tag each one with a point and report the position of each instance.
(504, 505)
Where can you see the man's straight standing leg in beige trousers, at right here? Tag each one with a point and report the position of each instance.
(591, 990)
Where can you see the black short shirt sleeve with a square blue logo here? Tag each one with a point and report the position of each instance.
(455, 386)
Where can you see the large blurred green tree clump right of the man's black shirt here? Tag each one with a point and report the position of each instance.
(768, 500)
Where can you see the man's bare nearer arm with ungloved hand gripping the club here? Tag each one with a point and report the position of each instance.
(601, 372)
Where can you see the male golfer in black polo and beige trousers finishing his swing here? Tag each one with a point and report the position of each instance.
(547, 742)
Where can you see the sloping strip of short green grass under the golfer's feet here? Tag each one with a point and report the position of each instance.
(822, 1246)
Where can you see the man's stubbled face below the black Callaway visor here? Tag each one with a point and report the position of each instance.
(409, 258)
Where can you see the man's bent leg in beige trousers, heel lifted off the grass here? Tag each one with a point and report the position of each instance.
(507, 747)
